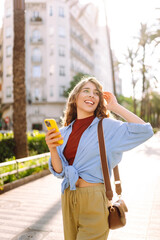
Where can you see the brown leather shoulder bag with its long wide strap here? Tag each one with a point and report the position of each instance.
(117, 209)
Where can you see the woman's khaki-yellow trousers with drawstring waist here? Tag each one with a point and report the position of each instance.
(85, 213)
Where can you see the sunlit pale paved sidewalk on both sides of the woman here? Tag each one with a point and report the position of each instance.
(33, 211)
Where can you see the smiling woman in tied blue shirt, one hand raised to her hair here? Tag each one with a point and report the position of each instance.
(77, 160)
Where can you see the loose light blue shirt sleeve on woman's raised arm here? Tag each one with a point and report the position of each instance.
(125, 136)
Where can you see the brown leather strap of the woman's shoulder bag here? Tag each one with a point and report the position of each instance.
(105, 170)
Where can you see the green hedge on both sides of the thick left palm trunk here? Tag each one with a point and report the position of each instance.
(36, 145)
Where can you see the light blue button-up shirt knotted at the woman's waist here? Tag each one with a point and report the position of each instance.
(119, 137)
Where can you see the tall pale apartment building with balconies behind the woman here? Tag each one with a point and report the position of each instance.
(61, 39)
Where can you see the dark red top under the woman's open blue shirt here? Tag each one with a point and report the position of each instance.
(79, 126)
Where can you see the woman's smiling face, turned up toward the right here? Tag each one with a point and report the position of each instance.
(87, 100)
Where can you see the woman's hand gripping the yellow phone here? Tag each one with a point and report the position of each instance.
(51, 139)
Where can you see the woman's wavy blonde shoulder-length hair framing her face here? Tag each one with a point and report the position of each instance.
(70, 113)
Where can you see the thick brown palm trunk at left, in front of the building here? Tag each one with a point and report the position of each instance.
(19, 105)
